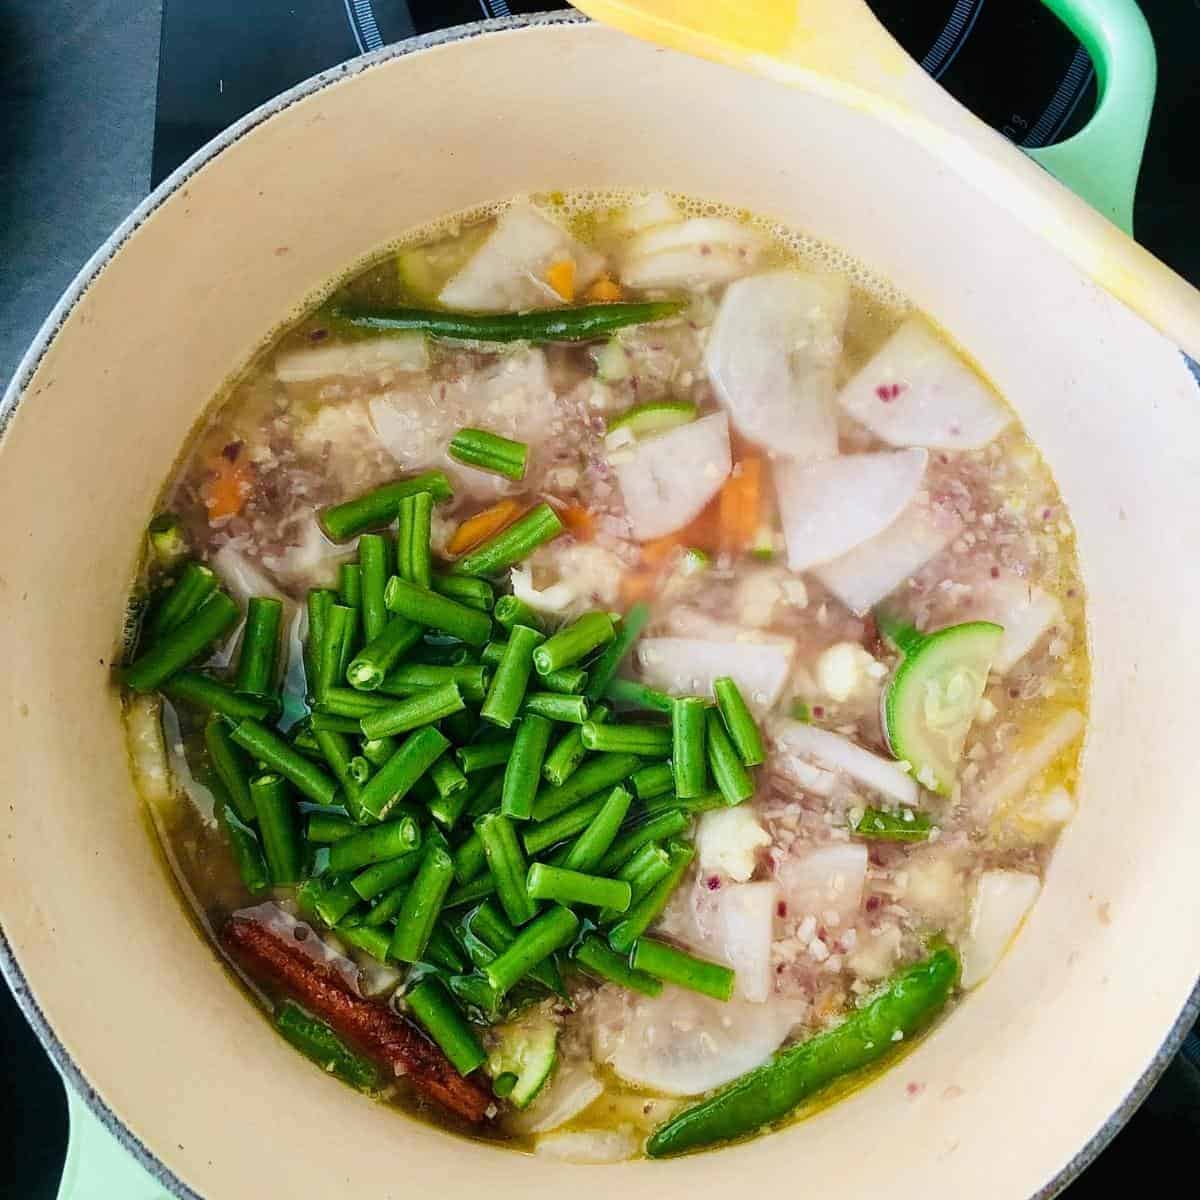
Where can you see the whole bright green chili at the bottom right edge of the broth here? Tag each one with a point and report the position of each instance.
(910, 1003)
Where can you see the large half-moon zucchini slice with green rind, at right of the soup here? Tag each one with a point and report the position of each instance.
(932, 701)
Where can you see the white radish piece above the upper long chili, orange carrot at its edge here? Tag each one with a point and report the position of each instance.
(507, 274)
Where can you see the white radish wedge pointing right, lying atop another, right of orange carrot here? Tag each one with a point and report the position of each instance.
(830, 508)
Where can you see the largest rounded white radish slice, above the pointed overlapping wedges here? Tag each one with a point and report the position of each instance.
(772, 356)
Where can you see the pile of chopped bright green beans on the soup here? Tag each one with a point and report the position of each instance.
(475, 795)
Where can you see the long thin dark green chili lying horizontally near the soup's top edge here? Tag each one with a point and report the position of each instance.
(581, 325)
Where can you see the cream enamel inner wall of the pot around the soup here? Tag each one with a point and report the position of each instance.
(1021, 1078)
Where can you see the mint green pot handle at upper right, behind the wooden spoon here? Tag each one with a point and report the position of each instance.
(1101, 163)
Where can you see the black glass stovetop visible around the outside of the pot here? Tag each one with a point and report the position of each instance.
(1007, 61)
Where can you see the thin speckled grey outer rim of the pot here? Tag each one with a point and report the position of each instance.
(10, 968)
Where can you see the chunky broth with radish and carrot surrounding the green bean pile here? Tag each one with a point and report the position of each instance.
(795, 473)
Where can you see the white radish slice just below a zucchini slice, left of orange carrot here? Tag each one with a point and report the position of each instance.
(668, 481)
